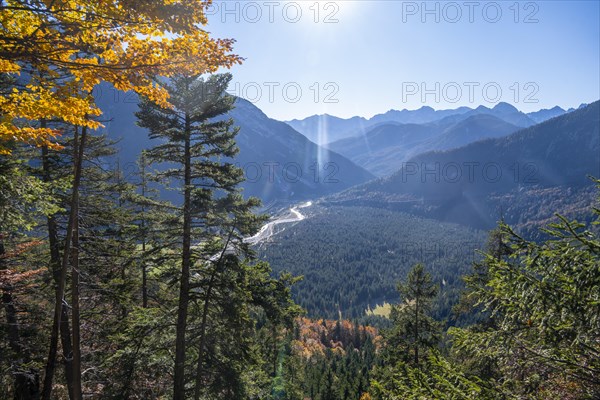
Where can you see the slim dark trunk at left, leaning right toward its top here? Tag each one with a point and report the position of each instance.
(62, 274)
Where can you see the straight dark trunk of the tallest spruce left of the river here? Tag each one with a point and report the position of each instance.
(182, 311)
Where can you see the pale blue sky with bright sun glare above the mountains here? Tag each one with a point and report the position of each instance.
(362, 57)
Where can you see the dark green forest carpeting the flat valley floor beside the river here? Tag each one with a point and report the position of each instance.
(347, 270)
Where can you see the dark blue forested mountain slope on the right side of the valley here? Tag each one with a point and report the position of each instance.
(524, 177)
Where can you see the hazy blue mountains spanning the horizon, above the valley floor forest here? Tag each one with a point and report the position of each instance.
(543, 166)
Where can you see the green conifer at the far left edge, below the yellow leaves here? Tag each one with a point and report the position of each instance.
(23, 199)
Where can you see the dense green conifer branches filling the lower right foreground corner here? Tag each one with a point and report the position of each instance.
(540, 300)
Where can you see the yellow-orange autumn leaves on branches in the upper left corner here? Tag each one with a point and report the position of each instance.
(57, 51)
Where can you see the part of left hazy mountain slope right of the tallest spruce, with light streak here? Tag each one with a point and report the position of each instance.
(302, 169)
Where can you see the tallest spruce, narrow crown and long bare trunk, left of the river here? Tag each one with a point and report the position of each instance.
(211, 218)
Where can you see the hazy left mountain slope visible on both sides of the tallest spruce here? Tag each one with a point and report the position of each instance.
(280, 164)
